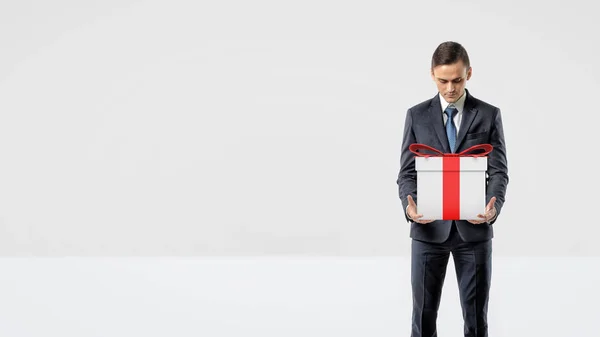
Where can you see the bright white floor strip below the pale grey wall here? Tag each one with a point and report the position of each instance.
(281, 297)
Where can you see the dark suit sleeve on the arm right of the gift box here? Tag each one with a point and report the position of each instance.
(497, 179)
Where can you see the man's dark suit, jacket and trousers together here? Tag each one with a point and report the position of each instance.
(469, 244)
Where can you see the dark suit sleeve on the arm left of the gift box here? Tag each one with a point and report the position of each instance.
(407, 177)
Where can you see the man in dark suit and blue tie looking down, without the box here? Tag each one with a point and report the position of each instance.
(452, 121)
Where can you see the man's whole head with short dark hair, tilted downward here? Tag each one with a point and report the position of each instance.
(450, 70)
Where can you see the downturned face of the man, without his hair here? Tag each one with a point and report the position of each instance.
(451, 80)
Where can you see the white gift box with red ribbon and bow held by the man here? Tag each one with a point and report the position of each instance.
(451, 186)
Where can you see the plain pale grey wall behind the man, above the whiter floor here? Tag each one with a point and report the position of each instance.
(251, 128)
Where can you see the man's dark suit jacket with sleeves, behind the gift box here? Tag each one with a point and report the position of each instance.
(481, 123)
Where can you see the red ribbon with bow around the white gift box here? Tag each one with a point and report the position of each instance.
(451, 175)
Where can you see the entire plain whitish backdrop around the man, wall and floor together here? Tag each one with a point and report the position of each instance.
(242, 128)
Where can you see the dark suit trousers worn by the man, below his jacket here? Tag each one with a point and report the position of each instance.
(473, 264)
